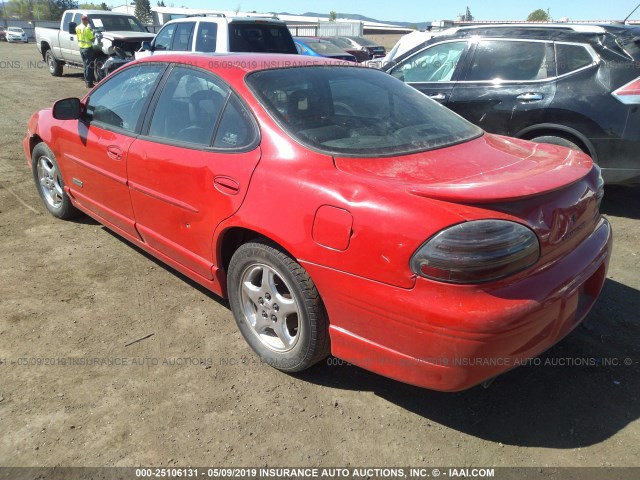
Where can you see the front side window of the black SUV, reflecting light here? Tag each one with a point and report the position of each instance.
(435, 64)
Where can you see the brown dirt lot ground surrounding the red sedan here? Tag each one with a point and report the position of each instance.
(193, 393)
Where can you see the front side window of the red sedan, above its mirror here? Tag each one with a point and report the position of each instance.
(119, 101)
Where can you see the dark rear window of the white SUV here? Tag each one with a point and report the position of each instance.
(260, 38)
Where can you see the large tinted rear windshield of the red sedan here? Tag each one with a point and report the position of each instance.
(353, 111)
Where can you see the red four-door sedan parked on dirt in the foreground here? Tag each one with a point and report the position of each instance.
(338, 209)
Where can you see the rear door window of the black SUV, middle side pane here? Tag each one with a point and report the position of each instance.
(515, 61)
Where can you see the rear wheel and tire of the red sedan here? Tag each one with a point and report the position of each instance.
(277, 307)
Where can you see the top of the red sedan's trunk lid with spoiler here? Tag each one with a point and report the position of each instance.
(488, 169)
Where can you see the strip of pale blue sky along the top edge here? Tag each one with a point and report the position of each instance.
(427, 10)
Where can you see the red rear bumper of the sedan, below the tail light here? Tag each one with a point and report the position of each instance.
(450, 337)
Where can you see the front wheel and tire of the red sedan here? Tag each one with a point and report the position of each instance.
(49, 182)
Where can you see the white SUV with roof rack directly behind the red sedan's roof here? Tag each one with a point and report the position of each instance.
(220, 34)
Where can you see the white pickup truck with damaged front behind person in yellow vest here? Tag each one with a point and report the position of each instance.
(112, 31)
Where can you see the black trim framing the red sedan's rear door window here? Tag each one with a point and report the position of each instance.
(151, 107)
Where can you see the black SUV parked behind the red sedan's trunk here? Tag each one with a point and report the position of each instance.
(571, 85)
